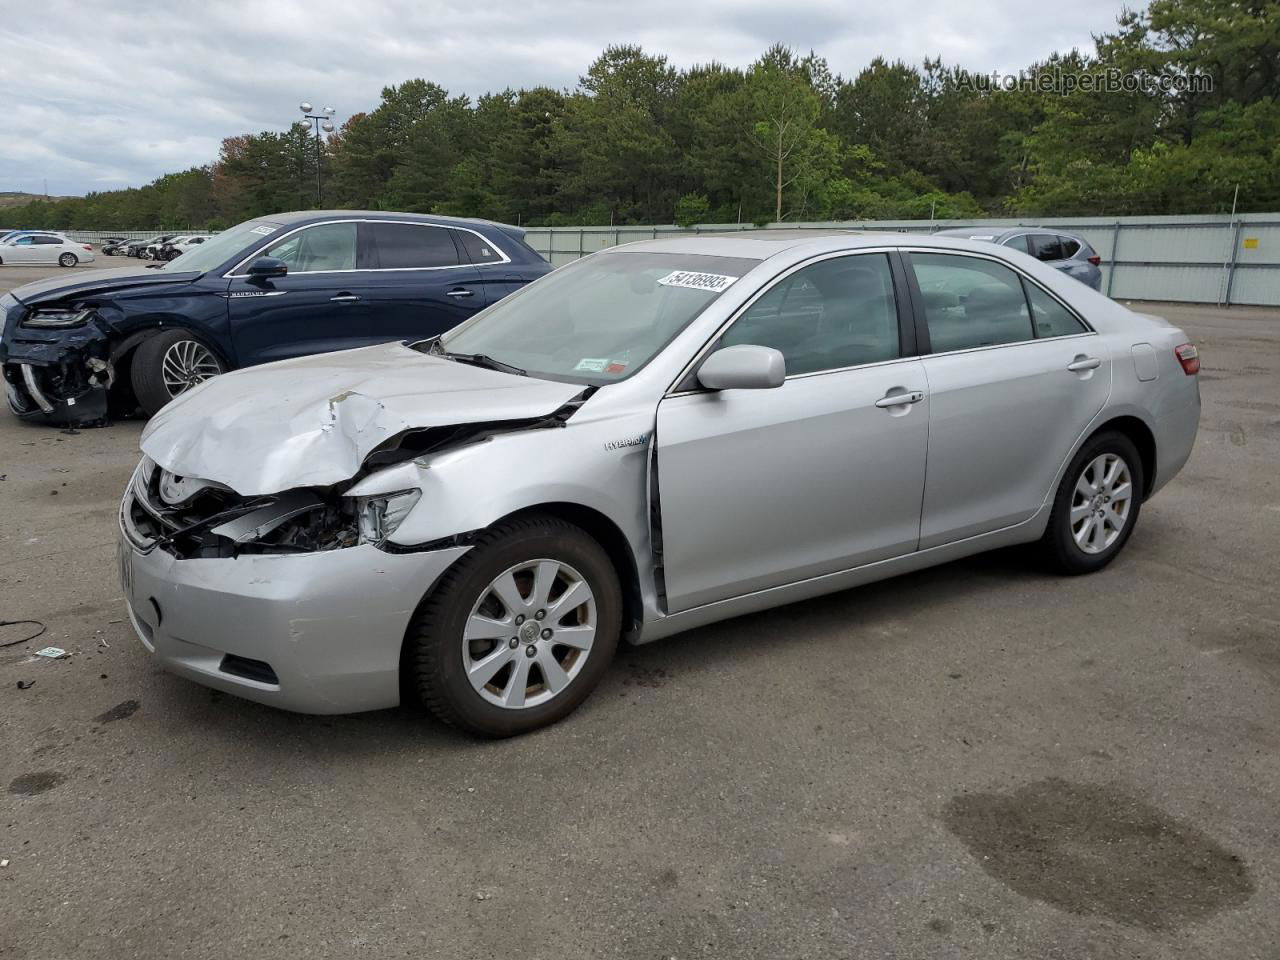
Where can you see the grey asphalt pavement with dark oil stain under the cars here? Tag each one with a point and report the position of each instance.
(976, 761)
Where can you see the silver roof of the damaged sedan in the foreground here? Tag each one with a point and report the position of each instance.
(762, 245)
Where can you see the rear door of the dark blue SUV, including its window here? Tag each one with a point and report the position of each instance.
(422, 285)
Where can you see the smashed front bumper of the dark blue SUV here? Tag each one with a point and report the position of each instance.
(60, 377)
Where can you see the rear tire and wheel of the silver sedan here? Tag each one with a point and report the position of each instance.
(1090, 523)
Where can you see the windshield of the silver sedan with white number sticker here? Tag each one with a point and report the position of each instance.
(601, 319)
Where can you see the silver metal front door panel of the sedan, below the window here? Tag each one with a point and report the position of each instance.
(762, 488)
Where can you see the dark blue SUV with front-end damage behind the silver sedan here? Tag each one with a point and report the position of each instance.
(272, 289)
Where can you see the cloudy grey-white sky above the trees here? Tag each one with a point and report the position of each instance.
(99, 97)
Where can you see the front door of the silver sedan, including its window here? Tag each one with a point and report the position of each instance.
(762, 488)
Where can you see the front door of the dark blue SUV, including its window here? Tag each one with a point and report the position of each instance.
(319, 307)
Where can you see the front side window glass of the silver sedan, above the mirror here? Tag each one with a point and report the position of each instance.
(835, 314)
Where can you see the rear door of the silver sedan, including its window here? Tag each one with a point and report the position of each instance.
(1014, 380)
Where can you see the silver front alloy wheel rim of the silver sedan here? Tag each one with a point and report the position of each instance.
(531, 634)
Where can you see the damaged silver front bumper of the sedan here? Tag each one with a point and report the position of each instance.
(309, 632)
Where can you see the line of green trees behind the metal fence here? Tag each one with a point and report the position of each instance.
(787, 139)
